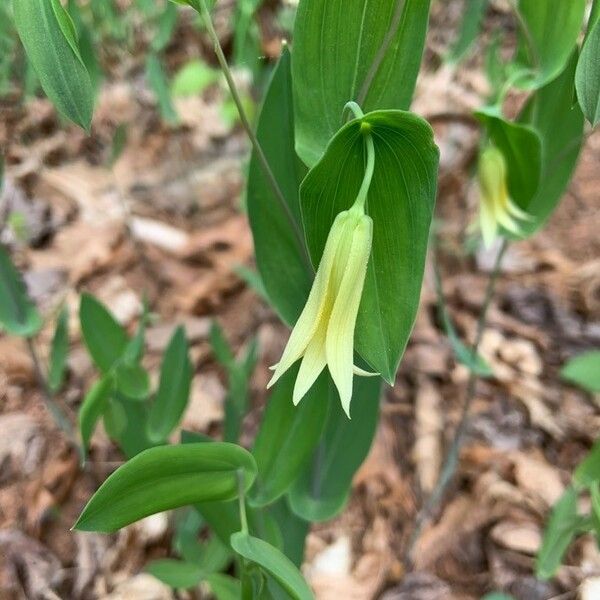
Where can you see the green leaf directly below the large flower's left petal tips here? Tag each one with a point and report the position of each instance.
(293, 430)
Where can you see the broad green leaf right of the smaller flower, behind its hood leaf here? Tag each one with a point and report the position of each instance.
(559, 123)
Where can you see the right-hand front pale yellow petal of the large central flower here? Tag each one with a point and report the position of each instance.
(339, 344)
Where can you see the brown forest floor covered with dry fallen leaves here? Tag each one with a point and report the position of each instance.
(166, 220)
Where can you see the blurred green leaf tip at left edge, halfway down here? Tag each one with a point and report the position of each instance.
(18, 314)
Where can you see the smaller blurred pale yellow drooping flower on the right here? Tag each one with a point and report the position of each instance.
(496, 208)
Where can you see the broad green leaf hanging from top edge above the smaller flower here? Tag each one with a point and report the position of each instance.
(549, 33)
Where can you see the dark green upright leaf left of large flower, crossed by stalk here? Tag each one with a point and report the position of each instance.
(286, 273)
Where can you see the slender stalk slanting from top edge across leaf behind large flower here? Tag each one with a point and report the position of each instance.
(205, 13)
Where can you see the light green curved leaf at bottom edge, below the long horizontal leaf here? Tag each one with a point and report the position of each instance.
(274, 563)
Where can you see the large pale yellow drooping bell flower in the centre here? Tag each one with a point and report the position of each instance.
(324, 332)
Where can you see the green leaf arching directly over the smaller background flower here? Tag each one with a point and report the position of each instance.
(522, 150)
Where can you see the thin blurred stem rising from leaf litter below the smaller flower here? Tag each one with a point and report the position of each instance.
(451, 461)
